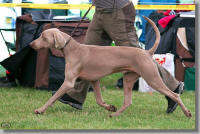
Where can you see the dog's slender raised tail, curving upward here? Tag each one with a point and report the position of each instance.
(155, 28)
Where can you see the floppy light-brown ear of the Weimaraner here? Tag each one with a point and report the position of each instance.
(59, 39)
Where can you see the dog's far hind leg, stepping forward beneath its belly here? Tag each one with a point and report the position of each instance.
(129, 80)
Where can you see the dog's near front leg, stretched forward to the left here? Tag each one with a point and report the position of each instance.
(68, 84)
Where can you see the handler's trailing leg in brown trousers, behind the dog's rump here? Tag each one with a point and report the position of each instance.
(122, 31)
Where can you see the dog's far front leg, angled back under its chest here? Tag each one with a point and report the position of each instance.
(99, 99)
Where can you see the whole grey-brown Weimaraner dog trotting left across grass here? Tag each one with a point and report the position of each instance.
(86, 62)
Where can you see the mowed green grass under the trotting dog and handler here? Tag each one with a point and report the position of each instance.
(147, 111)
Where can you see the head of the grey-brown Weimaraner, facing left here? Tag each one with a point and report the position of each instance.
(51, 38)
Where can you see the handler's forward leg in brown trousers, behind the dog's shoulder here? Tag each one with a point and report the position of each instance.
(95, 36)
